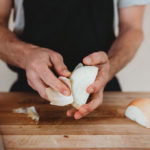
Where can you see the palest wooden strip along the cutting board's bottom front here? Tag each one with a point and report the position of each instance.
(80, 141)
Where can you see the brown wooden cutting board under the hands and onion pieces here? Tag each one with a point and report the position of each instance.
(106, 128)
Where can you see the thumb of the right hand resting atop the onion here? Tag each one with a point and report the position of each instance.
(96, 58)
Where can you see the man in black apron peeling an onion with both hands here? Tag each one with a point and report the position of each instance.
(52, 36)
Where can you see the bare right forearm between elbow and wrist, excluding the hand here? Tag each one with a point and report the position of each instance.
(124, 49)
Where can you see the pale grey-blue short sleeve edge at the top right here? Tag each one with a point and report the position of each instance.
(128, 3)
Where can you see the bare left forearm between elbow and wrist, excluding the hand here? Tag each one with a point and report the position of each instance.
(12, 50)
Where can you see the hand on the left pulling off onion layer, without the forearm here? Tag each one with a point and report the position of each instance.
(39, 65)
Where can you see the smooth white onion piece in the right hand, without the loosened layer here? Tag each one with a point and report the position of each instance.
(81, 78)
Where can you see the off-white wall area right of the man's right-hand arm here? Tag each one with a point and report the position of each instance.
(136, 76)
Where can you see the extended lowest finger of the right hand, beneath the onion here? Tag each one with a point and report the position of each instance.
(87, 108)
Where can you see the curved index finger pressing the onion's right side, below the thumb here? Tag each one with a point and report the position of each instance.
(101, 79)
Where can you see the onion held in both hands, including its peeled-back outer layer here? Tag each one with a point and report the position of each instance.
(80, 79)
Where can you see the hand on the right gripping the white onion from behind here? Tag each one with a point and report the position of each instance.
(100, 60)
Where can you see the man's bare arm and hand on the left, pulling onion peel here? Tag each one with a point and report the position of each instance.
(36, 61)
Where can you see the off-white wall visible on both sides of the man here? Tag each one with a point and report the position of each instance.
(134, 77)
